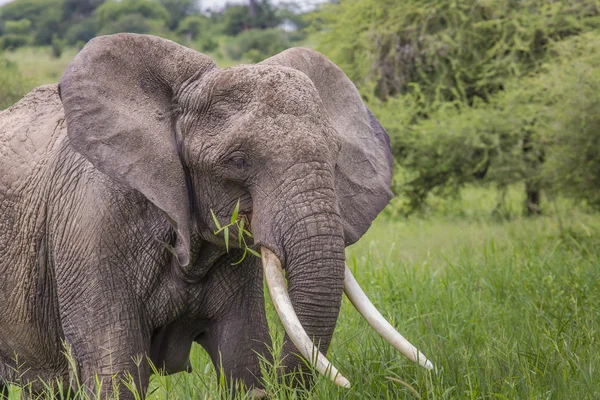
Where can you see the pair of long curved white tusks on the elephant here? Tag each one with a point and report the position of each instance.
(273, 273)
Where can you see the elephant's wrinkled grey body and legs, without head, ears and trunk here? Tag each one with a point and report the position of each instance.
(71, 277)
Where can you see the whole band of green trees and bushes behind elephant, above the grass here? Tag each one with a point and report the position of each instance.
(472, 92)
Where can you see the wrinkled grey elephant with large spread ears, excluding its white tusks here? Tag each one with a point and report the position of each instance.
(106, 188)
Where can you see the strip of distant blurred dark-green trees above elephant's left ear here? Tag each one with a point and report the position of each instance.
(72, 23)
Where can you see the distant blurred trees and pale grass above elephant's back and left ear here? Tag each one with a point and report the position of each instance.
(32, 30)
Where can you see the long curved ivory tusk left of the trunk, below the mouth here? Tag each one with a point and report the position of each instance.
(290, 321)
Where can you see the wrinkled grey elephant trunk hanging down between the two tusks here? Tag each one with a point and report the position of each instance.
(307, 236)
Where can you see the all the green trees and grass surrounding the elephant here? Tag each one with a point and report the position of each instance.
(493, 108)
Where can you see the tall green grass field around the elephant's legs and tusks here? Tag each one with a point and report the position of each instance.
(504, 309)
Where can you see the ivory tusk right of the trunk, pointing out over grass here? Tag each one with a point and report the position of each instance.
(364, 306)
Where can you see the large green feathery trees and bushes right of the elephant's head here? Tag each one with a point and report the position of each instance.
(478, 92)
